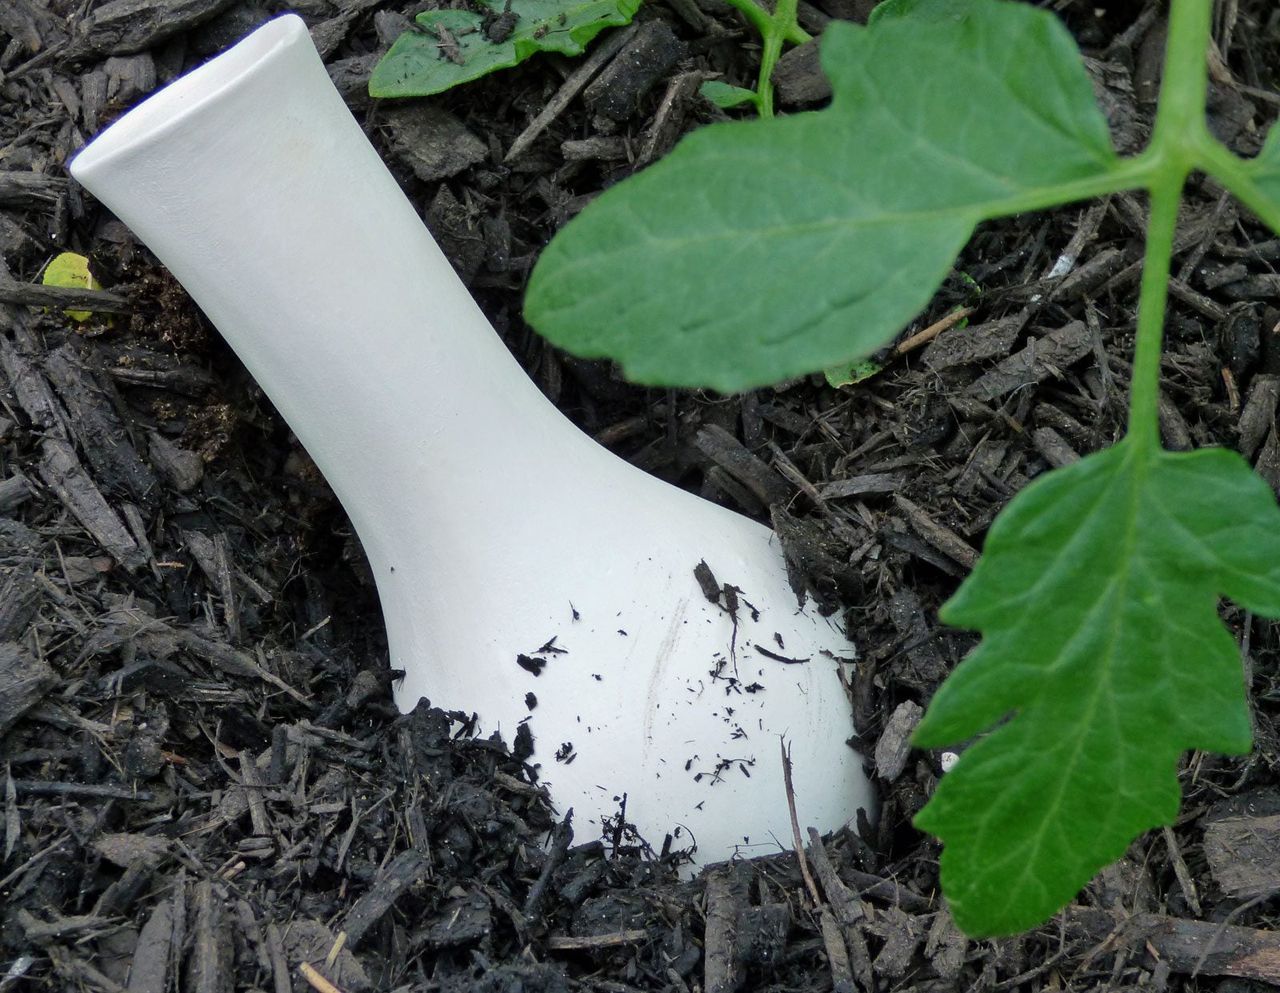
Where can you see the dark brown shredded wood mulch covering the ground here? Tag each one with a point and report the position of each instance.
(205, 784)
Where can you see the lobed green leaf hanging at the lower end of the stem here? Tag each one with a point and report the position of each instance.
(1098, 598)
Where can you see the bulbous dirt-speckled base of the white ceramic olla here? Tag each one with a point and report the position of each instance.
(636, 684)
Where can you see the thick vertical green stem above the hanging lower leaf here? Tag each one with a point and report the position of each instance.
(1177, 144)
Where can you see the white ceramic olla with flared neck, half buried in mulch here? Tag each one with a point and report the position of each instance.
(515, 559)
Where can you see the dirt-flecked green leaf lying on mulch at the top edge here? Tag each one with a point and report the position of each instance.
(458, 47)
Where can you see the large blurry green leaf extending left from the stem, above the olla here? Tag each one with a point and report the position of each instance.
(816, 237)
